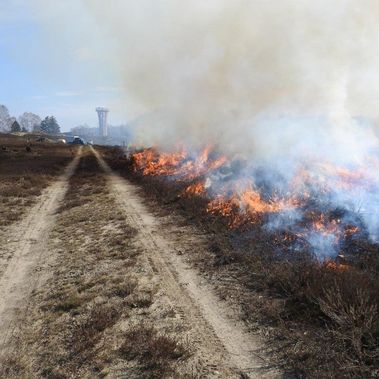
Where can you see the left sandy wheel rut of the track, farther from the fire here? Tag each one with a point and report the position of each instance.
(26, 269)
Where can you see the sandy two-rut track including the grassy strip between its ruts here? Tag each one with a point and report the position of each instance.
(103, 290)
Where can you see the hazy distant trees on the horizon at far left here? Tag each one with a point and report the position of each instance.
(27, 122)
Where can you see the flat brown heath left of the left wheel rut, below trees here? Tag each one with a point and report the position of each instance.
(24, 174)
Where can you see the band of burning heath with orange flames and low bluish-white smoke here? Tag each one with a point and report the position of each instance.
(315, 208)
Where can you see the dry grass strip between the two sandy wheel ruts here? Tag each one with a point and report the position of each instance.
(85, 314)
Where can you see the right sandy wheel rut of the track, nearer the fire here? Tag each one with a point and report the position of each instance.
(222, 342)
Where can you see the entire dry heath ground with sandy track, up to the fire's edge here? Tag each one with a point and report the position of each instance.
(121, 276)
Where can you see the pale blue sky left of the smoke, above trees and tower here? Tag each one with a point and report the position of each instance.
(50, 67)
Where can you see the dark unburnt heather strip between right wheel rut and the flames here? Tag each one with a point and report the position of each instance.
(322, 322)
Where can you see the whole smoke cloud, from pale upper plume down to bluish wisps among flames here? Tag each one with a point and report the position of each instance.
(289, 87)
